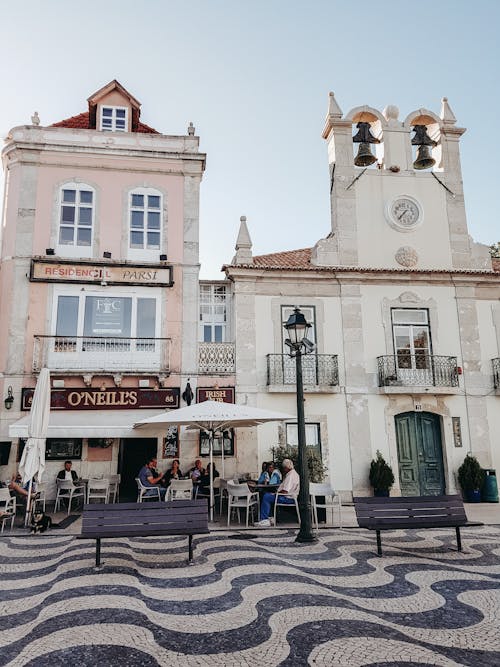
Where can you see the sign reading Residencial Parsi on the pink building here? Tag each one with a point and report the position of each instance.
(68, 271)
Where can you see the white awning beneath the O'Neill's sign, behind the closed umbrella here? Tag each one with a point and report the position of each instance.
(90, 424)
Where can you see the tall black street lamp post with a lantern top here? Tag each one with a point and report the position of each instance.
(299, 345)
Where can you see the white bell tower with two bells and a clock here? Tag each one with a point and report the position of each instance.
(396, 191)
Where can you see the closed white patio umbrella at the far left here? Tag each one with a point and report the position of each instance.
(33, 458)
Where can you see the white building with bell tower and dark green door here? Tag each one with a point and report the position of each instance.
(404, 306)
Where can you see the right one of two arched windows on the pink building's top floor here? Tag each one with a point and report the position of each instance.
(145, 219)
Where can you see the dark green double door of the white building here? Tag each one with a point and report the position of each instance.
(420, 454)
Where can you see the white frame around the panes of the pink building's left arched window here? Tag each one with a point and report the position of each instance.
(75, 249)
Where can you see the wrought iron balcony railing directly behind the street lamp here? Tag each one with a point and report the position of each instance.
(317, 369)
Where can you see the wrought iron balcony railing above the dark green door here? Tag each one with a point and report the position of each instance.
(422, 370)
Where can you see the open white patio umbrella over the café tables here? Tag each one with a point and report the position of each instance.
(212, 416)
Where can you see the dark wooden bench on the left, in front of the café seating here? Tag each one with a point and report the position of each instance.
(179, 517)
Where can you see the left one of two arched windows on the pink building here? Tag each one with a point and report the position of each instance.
(76, 215)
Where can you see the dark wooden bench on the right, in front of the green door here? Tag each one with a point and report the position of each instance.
(411, 512)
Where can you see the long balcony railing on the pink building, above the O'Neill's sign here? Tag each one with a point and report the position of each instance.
(69, 354)
